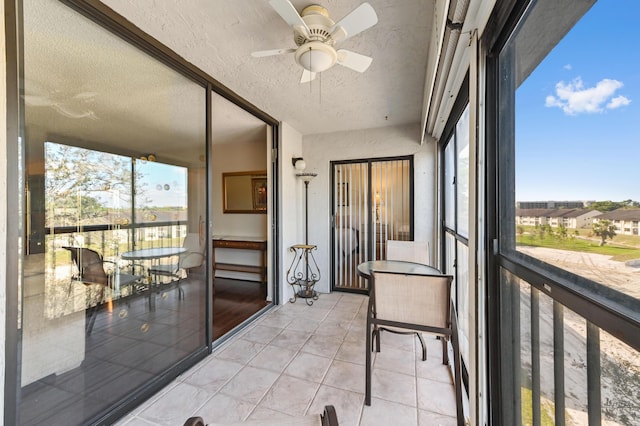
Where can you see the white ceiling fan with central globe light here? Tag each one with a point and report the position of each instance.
(316, 35)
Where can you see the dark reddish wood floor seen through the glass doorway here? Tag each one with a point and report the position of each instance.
(234, 302)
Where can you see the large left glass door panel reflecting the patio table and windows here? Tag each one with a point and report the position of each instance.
(97, 328)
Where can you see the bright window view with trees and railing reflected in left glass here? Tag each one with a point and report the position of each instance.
(88, 204)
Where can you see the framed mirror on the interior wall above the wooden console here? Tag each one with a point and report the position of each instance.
(244, 192)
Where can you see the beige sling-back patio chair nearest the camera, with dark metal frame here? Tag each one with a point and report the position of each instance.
(414, 303)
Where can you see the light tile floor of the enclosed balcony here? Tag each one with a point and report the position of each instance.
(296, 359)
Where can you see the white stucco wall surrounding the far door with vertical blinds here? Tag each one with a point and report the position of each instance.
(319, 150)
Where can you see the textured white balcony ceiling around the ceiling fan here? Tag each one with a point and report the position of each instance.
(218, 36)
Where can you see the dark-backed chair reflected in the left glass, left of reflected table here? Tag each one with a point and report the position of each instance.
(92, 269)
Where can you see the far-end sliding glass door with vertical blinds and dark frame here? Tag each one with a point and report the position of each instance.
(371, 203)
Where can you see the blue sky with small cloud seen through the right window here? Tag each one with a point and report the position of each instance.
(577, 115)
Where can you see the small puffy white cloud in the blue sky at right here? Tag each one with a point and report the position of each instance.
(573, 98)
